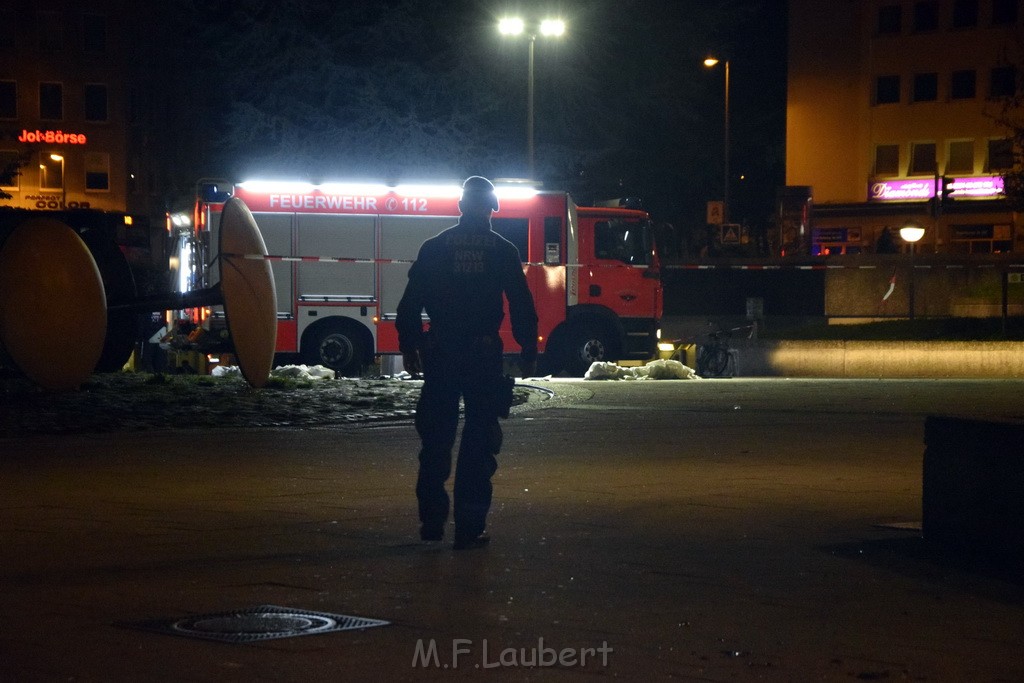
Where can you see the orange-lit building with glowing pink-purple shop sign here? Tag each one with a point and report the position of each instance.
(890, 101)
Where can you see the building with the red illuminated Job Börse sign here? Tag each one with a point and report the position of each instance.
(64, 105)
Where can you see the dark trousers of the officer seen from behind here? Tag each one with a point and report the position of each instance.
(471, 372)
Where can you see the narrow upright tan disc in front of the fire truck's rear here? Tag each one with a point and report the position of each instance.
(250, 297)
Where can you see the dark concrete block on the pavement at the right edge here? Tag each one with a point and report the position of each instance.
(973, 487)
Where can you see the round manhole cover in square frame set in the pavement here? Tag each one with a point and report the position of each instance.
(255, 624)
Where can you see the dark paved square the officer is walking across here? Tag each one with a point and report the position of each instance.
(719, 531)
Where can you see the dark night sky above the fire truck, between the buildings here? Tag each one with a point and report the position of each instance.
(426, 90)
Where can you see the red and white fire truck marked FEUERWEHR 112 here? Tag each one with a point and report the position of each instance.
(342, 252)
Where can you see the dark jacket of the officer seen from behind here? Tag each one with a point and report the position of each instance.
(459, 278)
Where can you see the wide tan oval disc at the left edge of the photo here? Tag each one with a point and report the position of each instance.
(53, 305)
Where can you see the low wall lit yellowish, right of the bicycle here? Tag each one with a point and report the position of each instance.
(880, 360)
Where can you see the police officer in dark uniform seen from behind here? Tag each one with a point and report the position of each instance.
(459, 279)
